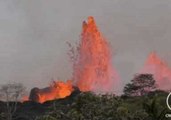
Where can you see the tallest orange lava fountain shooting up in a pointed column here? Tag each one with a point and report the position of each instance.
(92, 68)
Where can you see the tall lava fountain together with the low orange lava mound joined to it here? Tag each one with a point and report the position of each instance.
(92, 68)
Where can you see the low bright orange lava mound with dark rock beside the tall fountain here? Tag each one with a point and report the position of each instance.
(57, 90)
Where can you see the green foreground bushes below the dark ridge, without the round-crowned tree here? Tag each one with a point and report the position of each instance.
(87, 106)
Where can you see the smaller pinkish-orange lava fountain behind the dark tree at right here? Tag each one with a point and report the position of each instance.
(160, 70)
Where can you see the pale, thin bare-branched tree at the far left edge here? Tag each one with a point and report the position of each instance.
(11, 93)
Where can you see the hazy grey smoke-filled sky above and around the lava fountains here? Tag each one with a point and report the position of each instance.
(33, 35)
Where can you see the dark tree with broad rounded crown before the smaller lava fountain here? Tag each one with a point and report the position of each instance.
(140, 85)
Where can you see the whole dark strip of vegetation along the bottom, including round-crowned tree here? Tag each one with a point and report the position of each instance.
(140, 101)
